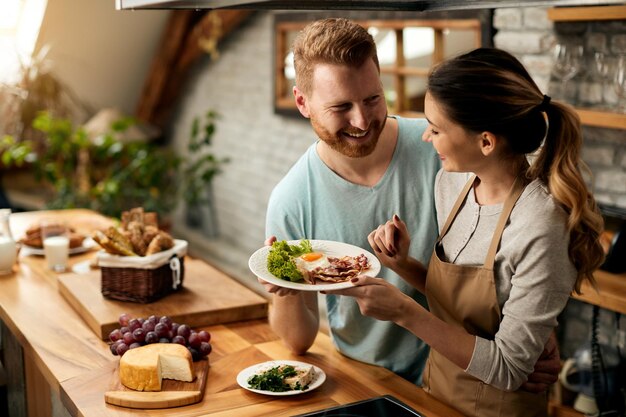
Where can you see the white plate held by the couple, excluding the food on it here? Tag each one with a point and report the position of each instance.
(258, 264)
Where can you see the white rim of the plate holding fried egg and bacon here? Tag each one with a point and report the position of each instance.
(373, 270)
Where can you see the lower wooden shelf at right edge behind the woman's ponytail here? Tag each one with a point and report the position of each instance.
(611, 292)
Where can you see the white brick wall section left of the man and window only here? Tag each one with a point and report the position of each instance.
(261, 145)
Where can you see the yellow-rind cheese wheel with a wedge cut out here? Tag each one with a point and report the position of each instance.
(143, 368)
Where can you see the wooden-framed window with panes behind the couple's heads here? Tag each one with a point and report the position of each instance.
(407, 49)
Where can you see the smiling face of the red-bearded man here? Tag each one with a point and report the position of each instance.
(347, 107)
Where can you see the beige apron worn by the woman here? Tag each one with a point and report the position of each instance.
(466, 296)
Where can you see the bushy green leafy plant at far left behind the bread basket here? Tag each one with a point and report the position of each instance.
(106, 175)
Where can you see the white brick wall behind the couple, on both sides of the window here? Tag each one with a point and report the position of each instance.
(262, 145)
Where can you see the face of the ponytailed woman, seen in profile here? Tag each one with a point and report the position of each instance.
(458, 149)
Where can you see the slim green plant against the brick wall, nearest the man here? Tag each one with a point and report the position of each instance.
(199, 168)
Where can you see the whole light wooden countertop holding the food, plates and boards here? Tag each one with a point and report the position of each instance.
(77, 364)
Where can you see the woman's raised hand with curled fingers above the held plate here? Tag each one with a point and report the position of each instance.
(391, 242)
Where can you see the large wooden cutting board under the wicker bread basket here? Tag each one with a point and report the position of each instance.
(208, 297)
